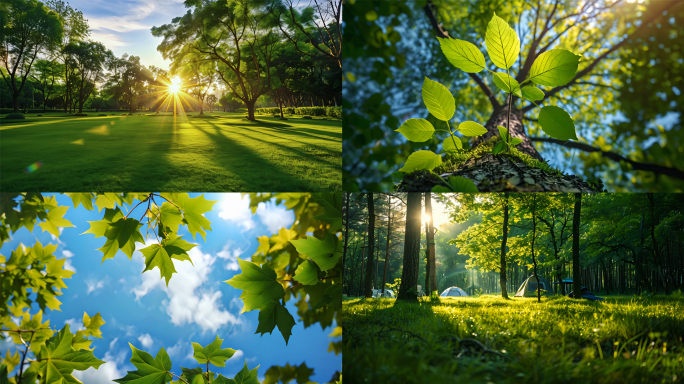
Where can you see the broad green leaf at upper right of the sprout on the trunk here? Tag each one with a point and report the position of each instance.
(554, 67)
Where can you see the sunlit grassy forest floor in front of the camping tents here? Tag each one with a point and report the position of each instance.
(491, 340)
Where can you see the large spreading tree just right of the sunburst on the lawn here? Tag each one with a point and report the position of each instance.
(233, 33)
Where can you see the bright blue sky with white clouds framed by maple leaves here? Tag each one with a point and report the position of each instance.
(197, 305)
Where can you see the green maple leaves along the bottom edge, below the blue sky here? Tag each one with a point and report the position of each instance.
(157, 370)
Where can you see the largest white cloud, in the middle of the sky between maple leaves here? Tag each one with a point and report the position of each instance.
(188, 302)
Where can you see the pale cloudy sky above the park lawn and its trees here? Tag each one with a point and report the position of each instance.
(124, 26)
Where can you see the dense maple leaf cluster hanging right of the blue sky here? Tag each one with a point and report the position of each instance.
(296, 265)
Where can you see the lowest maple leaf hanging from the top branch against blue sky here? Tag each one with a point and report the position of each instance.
(160, 255)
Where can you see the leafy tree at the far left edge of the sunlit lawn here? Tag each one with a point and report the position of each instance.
(29, 29)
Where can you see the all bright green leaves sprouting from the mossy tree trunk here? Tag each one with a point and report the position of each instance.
(554, 67)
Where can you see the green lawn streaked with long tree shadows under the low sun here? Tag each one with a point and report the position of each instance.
(163, 153)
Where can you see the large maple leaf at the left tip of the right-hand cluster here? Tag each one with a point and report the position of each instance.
(258, 284)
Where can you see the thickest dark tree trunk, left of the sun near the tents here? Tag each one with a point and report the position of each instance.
(409, 274)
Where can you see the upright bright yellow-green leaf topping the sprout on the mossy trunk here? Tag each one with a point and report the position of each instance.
(502, 43)
